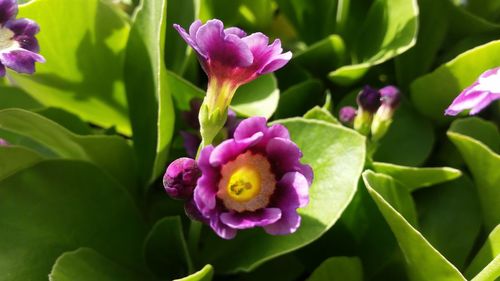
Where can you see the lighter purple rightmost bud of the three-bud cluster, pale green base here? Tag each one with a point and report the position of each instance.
(390, 98)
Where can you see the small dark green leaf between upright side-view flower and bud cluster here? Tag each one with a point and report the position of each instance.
(299, 98)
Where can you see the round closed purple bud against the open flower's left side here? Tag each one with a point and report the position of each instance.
(181, 177)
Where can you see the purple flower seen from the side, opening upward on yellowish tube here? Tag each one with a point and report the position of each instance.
(230, 58)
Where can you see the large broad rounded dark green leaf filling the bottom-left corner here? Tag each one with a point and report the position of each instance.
(59, 205)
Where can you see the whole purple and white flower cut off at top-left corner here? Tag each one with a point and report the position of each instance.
(18, 45)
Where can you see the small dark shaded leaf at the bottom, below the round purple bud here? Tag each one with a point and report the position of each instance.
(166, 251)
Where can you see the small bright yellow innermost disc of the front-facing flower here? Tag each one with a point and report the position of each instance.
(244, 184)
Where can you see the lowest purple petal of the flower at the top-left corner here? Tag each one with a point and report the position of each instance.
(21, 60)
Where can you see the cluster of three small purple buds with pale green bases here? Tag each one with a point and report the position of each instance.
(375, 110)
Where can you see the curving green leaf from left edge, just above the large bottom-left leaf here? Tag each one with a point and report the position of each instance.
(51, 140)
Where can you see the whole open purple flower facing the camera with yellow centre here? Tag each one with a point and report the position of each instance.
(253, 180)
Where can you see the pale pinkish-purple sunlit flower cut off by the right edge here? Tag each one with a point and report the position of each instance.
(479, 95)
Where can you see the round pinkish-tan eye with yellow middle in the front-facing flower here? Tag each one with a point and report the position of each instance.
(247, 183)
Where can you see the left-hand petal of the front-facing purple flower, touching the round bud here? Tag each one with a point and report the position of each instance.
(206, 188)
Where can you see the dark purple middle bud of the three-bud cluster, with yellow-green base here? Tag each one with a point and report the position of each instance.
(368, 101)
